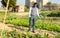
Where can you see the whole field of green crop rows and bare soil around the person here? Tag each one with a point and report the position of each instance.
(46, 27)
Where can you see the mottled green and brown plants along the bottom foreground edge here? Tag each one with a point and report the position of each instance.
(17, 34)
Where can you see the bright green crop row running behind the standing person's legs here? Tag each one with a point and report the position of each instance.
(41, 25)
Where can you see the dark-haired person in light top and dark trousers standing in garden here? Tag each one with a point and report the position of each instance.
(32, 16)
